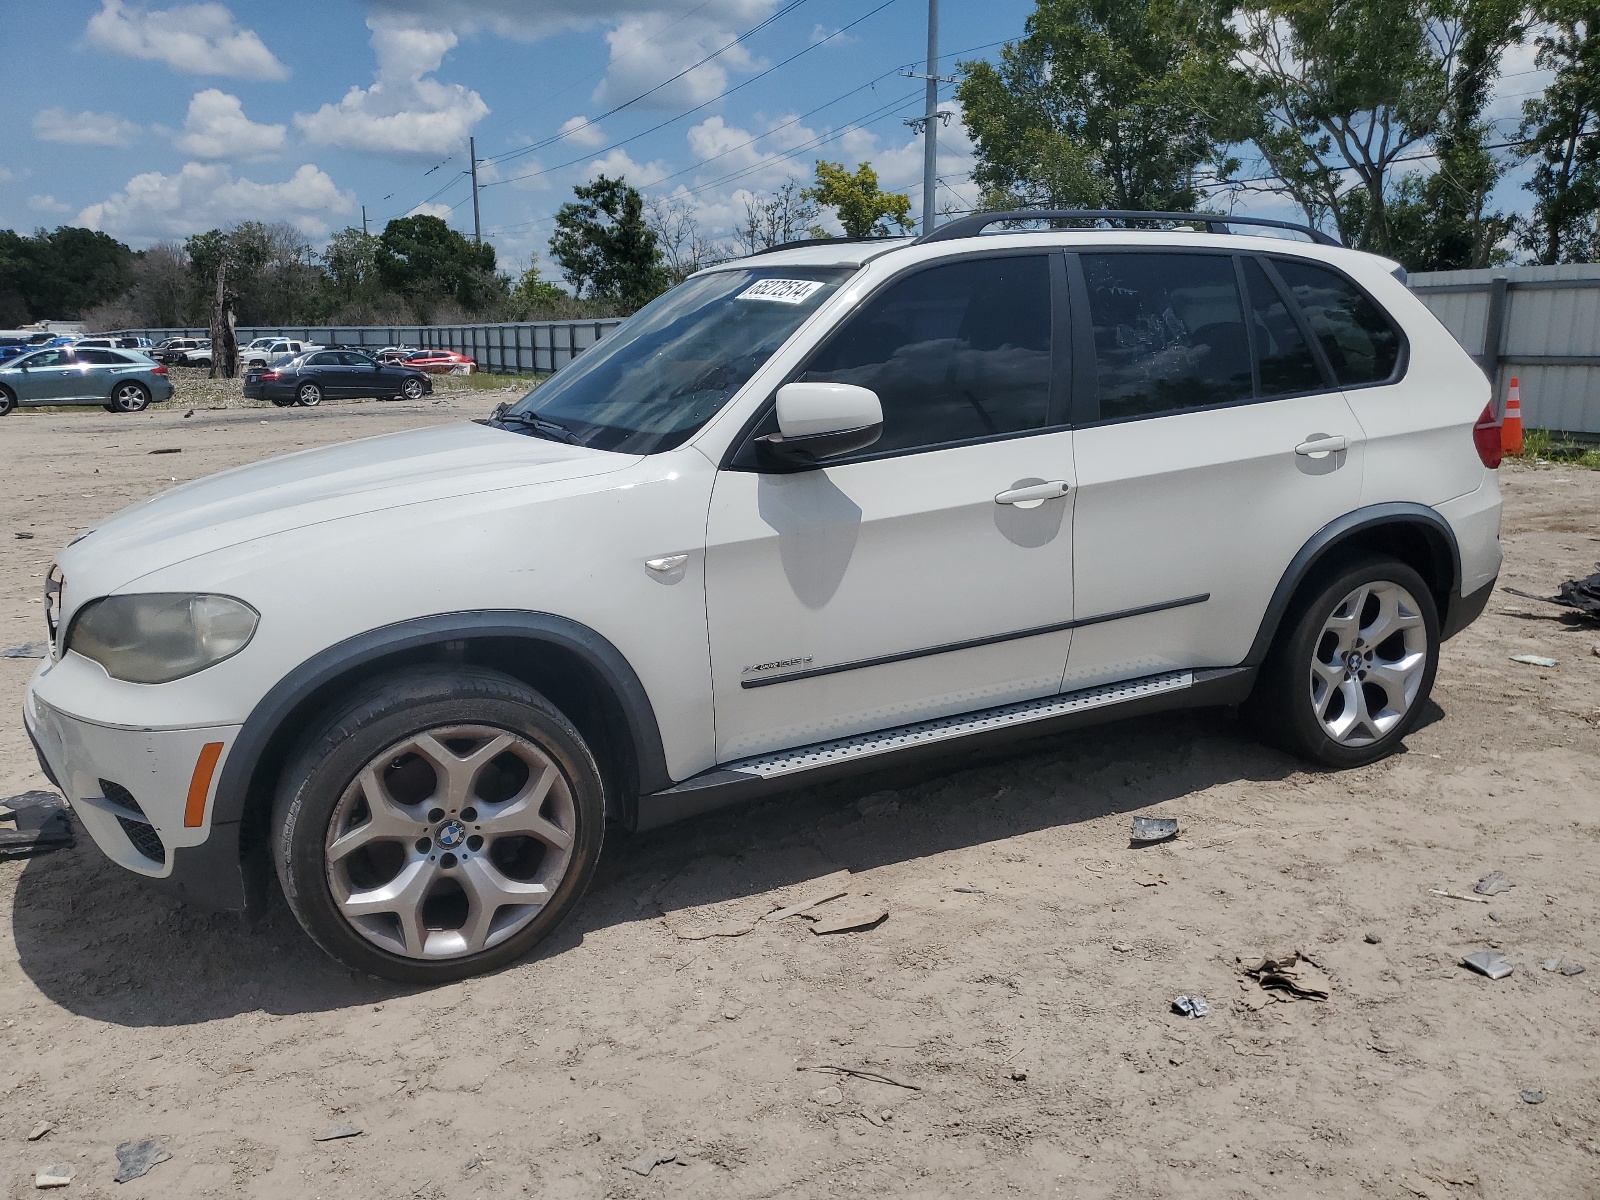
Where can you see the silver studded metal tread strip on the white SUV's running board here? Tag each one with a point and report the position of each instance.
(948, 729)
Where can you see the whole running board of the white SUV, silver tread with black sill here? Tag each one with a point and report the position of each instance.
(780, 770)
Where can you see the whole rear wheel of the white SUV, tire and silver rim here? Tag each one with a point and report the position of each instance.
(1350, 674)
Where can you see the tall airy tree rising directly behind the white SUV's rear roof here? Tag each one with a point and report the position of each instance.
(1346, 90)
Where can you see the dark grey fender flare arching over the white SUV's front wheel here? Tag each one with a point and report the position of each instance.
(327, 666)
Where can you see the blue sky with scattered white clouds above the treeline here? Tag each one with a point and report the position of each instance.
(154, 121)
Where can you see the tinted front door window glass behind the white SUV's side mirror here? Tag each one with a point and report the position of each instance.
(954, 353)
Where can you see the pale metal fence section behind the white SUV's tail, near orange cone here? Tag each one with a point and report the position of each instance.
(1540, 326)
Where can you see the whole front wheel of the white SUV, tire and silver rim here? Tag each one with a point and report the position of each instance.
(441, 825)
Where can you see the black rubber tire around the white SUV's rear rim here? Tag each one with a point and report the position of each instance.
(1282, 706)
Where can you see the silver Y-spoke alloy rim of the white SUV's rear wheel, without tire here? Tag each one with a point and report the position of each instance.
(1369, 663)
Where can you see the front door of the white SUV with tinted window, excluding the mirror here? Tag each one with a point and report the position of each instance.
(930, 574)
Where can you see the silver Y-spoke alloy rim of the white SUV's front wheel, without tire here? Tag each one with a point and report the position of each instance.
(450, 842)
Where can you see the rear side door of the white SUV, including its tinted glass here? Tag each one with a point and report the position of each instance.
(1214, 442)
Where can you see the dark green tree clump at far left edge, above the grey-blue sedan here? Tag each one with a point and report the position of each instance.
(57, 276)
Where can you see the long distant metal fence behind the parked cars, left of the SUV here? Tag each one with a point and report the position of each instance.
(510, 348)
